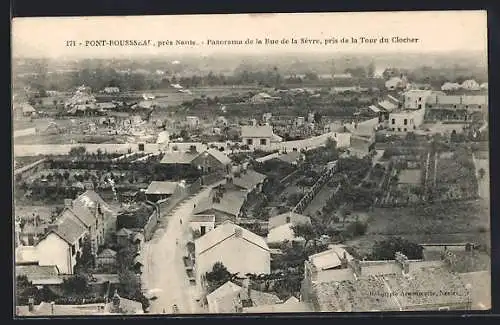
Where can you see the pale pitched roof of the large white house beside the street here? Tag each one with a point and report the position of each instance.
(223, 232)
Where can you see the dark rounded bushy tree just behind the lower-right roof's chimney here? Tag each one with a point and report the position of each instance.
(385, 249)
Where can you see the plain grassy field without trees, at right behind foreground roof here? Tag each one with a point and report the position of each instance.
(441, 222)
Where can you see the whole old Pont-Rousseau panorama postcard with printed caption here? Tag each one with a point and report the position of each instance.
(250, 164)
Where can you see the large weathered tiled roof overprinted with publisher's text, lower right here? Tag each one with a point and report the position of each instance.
(389, 289)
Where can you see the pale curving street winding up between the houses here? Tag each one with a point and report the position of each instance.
(164, 272)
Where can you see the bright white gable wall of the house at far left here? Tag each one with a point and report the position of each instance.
(55, 251)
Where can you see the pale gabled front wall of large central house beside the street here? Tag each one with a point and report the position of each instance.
(230, 252)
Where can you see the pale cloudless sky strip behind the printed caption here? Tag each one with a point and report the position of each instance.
(436, 31)
